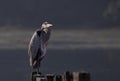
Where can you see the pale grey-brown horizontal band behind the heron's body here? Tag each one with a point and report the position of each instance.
(63, 39)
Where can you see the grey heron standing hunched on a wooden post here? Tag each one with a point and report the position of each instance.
(38, 45)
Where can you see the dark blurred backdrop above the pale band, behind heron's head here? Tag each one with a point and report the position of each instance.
(62, 13)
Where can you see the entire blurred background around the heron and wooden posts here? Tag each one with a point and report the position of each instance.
(95, 48)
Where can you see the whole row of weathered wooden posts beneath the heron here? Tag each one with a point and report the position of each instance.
(67, 76)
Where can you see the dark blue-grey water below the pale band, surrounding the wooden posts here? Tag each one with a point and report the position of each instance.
(103, 64)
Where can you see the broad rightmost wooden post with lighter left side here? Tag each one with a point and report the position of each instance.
(81, 76)
